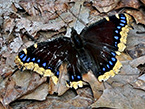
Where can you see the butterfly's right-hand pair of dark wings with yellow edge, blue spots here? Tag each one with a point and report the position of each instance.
(103, 40)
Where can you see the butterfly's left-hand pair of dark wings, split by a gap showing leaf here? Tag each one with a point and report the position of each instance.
(45, 58)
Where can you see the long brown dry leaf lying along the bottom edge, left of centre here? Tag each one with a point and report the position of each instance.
(60, 102)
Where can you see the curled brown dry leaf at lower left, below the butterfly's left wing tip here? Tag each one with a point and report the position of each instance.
(19, 84)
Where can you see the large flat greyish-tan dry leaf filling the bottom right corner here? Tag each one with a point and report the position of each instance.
(121, 98)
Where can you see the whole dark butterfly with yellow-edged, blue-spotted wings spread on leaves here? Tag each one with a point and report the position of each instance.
(95, 49)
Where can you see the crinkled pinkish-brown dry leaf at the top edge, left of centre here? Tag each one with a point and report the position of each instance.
(42, 10)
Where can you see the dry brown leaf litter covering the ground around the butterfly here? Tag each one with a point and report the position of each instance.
(125, 90)
